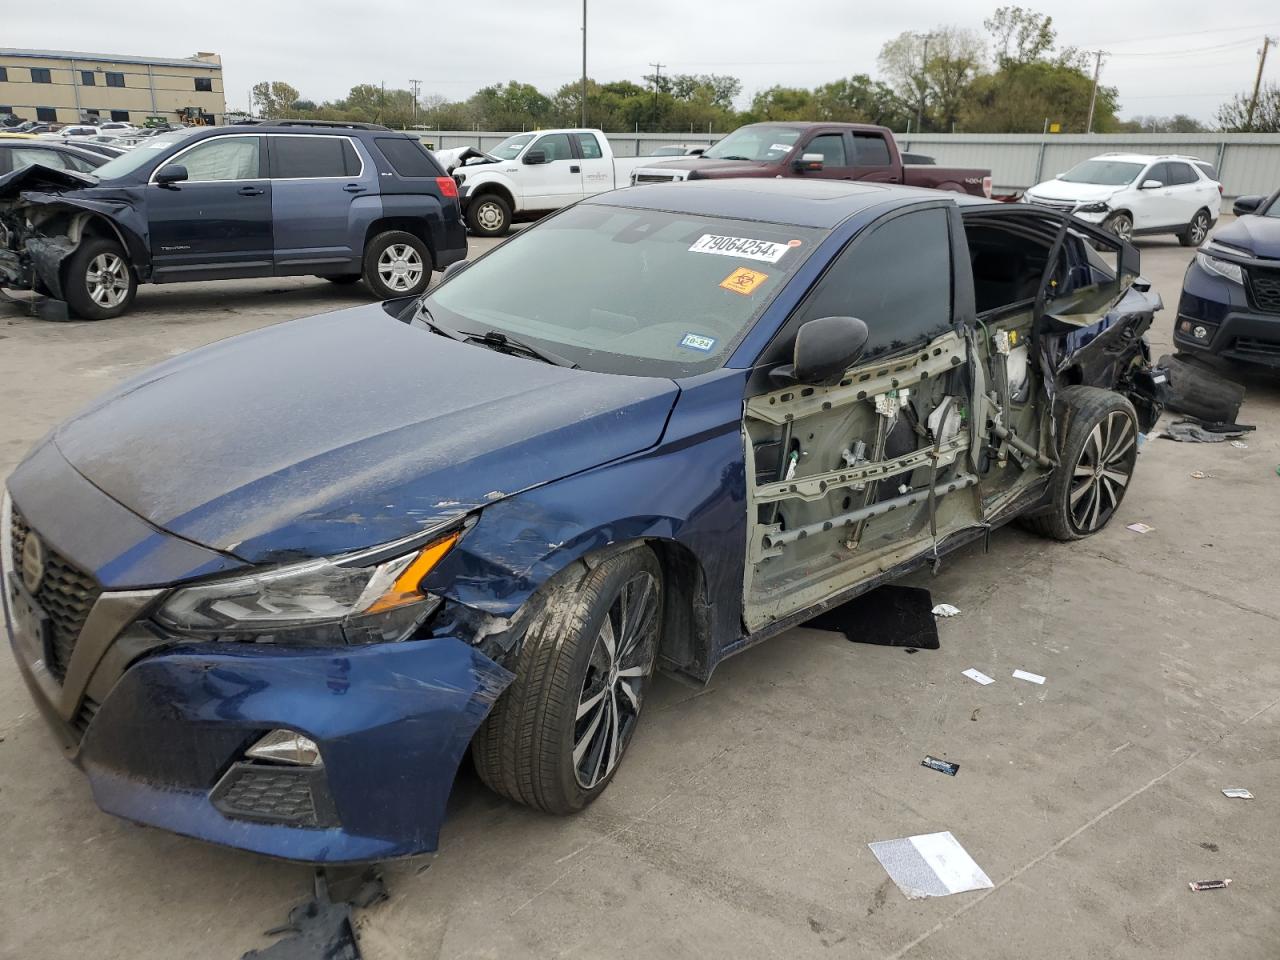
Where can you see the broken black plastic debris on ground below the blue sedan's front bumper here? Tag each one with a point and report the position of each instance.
(322, 929)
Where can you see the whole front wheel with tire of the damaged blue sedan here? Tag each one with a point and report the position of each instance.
(557, 735)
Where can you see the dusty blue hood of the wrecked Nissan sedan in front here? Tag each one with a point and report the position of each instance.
(348, 431)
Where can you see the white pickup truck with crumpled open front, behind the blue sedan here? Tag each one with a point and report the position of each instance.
(533, 175)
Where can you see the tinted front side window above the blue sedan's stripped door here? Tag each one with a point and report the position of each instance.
(897, 280)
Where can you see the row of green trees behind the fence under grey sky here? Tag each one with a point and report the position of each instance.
(1014, 80)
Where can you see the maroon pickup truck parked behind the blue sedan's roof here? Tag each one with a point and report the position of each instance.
(836, 152)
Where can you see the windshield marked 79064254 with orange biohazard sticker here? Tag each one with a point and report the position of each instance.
(627, 291)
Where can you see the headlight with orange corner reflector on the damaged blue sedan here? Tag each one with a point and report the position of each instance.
(360, 598)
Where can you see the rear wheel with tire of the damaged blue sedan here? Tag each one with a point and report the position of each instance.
(1099, 455)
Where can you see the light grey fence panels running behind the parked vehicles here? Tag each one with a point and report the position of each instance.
(1247, 163)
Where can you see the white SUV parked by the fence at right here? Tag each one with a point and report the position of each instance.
(1137, 194)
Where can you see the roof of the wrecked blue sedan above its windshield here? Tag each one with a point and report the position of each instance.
(799, 203)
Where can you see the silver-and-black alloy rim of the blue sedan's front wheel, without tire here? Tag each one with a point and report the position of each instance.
(612, 693)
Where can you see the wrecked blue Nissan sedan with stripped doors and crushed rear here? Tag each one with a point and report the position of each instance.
(272, 593)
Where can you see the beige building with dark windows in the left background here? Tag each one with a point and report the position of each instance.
(70, 88)
